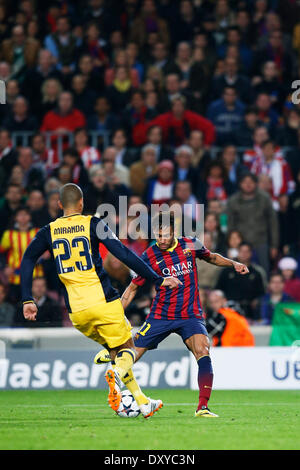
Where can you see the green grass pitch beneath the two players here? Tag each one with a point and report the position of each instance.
(81, 419)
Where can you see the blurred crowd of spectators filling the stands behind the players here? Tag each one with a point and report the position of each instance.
(186, 101)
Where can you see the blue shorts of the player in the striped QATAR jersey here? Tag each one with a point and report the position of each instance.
(153, 331)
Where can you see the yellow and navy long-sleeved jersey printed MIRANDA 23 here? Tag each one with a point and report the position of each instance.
(74, 242)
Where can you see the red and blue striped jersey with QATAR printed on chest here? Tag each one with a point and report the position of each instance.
(179, 261)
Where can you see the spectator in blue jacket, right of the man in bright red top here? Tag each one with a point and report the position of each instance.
(226, 114)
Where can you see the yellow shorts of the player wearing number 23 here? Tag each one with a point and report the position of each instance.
(106, 323)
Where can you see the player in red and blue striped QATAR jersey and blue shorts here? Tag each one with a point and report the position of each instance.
(178, 310)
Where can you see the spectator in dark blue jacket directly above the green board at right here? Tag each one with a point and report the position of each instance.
(276, 294)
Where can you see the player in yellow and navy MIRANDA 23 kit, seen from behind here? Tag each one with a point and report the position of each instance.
(94, 305)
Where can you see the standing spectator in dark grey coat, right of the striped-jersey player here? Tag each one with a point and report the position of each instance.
(250, 212)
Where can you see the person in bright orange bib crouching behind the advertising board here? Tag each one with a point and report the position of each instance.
(226, 326)
